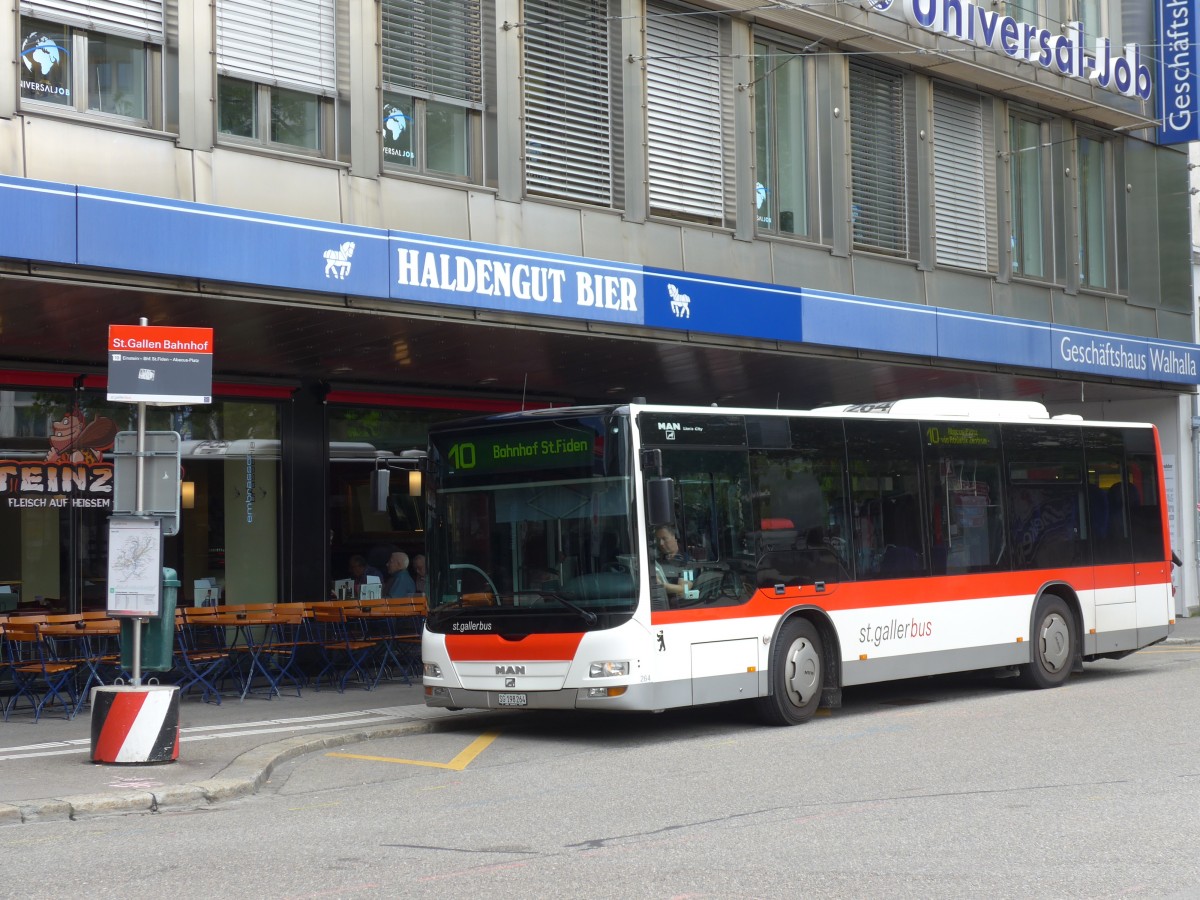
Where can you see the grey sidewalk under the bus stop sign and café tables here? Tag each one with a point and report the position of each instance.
(226, 752)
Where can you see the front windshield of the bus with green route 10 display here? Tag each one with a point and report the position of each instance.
(533, 526)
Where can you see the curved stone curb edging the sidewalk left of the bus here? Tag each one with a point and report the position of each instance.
(242, 778)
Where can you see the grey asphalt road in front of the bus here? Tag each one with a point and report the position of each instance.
(950, 788)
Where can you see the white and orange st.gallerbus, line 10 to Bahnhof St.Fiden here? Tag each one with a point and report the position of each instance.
(645, 557)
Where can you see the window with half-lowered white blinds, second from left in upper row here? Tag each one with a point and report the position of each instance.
(277, 75)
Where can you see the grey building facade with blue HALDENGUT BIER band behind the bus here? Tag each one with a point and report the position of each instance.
(393, 213)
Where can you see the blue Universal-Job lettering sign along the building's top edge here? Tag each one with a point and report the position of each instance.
(1058, 52)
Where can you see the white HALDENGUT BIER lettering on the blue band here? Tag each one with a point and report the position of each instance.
(519, 281)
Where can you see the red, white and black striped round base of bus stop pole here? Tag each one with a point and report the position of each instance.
(135, 725)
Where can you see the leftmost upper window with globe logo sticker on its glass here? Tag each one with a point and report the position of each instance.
(89, 70)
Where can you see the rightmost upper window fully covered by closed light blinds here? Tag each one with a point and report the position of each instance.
(961, 233)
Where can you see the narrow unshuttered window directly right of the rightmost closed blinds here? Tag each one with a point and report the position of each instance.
(1028, 146)
